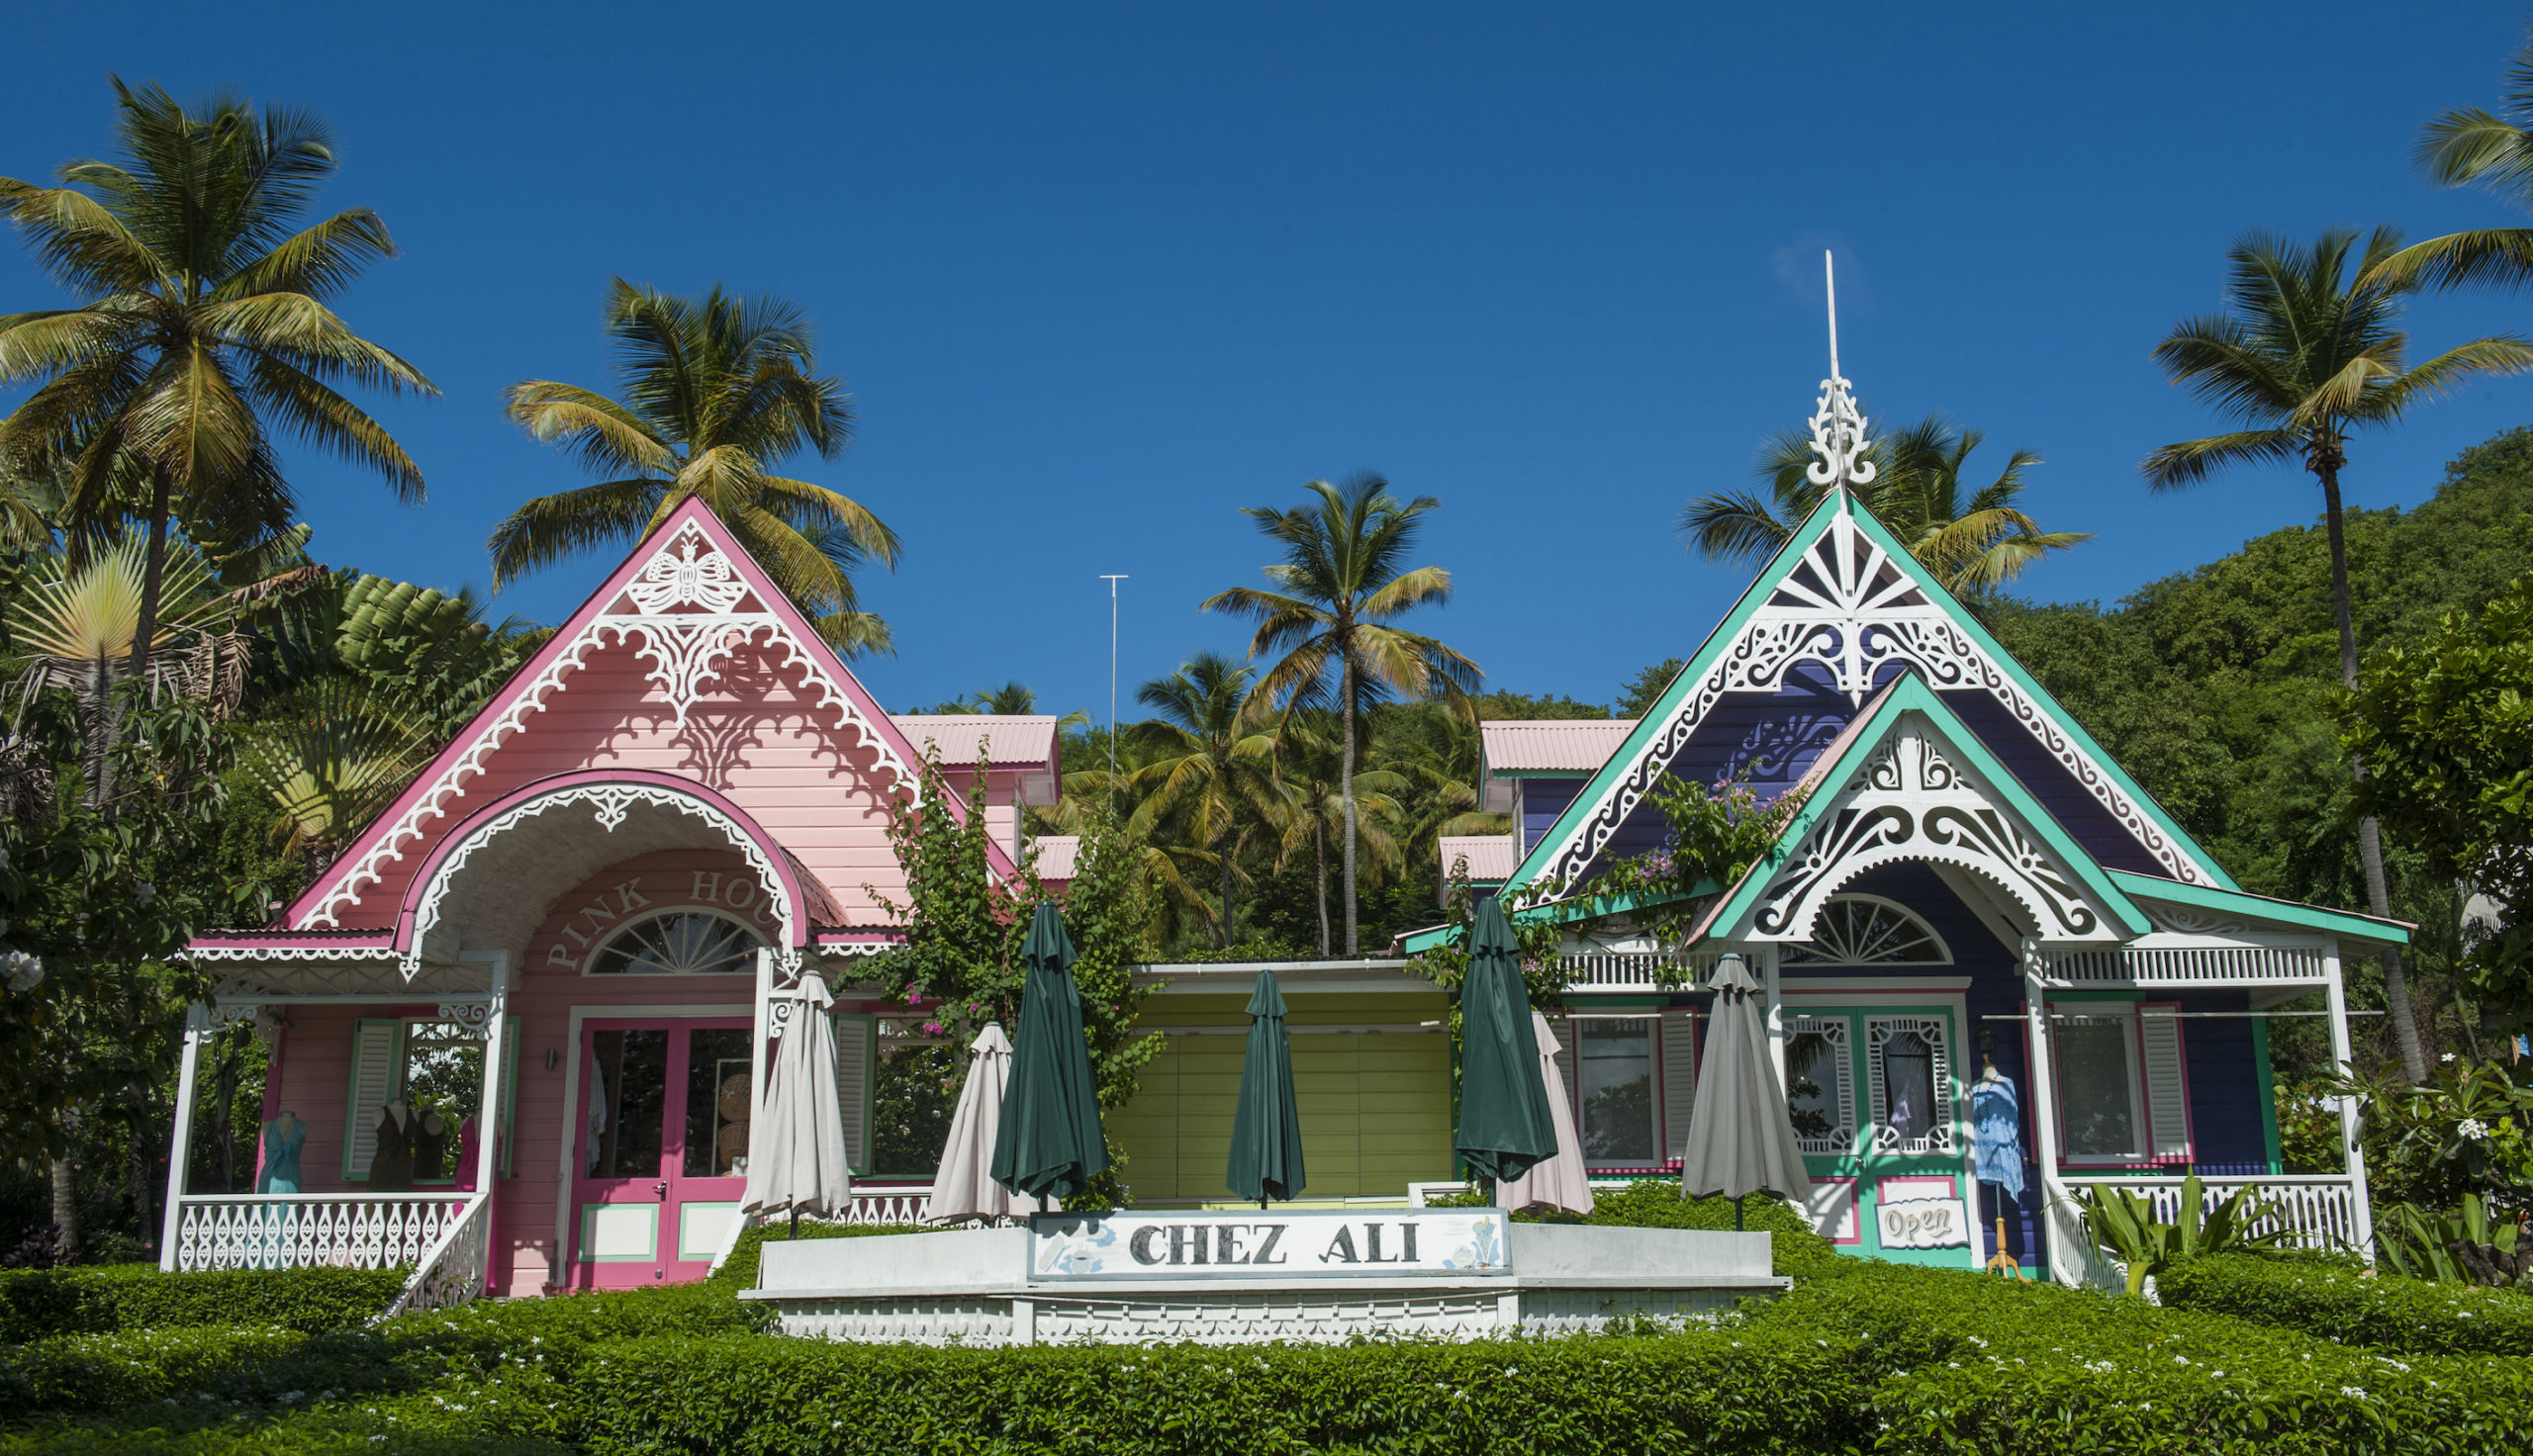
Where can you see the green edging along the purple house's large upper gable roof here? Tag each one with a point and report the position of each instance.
(1762, 586)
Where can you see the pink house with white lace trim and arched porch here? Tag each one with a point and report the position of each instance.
(574, 920)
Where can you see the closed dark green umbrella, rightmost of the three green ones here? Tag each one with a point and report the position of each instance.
(1503, 1108)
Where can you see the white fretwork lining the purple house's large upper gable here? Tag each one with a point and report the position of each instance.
(1853, 609)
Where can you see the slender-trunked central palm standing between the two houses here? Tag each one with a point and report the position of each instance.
(1344, 579)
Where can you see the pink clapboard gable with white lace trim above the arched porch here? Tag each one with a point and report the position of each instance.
(685, 665)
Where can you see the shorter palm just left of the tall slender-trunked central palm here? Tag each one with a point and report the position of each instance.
(1210, 776)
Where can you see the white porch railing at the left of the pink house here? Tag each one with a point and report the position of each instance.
(310, 1229)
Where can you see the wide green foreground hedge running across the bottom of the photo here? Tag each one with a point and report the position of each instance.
(1878, 1356)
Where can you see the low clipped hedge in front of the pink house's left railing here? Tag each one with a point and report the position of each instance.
(98, 1300)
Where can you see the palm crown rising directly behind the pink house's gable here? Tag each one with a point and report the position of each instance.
(711, 396)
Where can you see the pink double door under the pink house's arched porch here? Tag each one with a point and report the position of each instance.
(662, 1148)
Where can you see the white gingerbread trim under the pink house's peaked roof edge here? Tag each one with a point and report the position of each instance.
(685, 652)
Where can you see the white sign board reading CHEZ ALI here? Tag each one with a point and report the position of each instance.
(1268, 1245)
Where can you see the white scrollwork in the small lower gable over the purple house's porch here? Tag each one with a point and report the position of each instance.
(1911, 804)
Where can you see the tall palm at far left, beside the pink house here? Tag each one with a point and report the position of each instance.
(206, 323)
